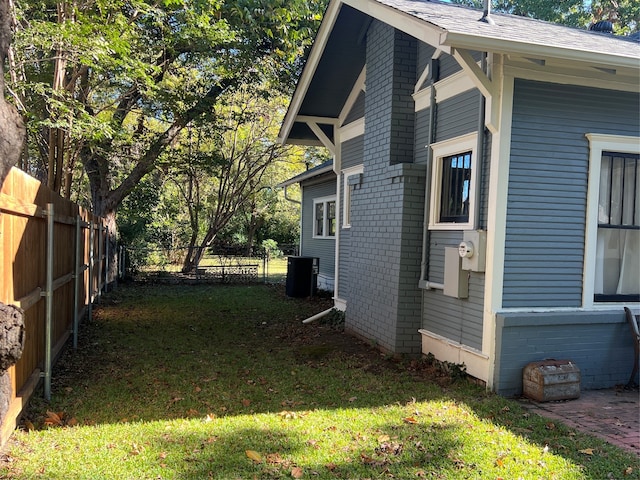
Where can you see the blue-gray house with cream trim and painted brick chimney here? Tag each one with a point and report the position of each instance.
(487, 185)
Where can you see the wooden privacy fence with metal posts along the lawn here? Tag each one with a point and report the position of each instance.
(53, 264)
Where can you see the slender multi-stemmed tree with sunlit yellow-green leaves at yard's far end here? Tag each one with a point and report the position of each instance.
(224, 168)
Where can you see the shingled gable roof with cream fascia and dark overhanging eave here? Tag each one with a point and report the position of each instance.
(338, 54)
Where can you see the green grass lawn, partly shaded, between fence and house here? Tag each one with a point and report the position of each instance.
(225, 382)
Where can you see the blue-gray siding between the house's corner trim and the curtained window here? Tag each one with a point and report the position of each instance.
(546, 204)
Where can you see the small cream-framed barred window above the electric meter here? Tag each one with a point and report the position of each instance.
(453, 183)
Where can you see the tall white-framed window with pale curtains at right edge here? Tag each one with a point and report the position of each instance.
(612, 255)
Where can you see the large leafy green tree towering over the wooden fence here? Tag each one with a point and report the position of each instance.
(111, 84)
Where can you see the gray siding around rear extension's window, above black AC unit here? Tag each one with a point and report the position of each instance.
(323, 248)
